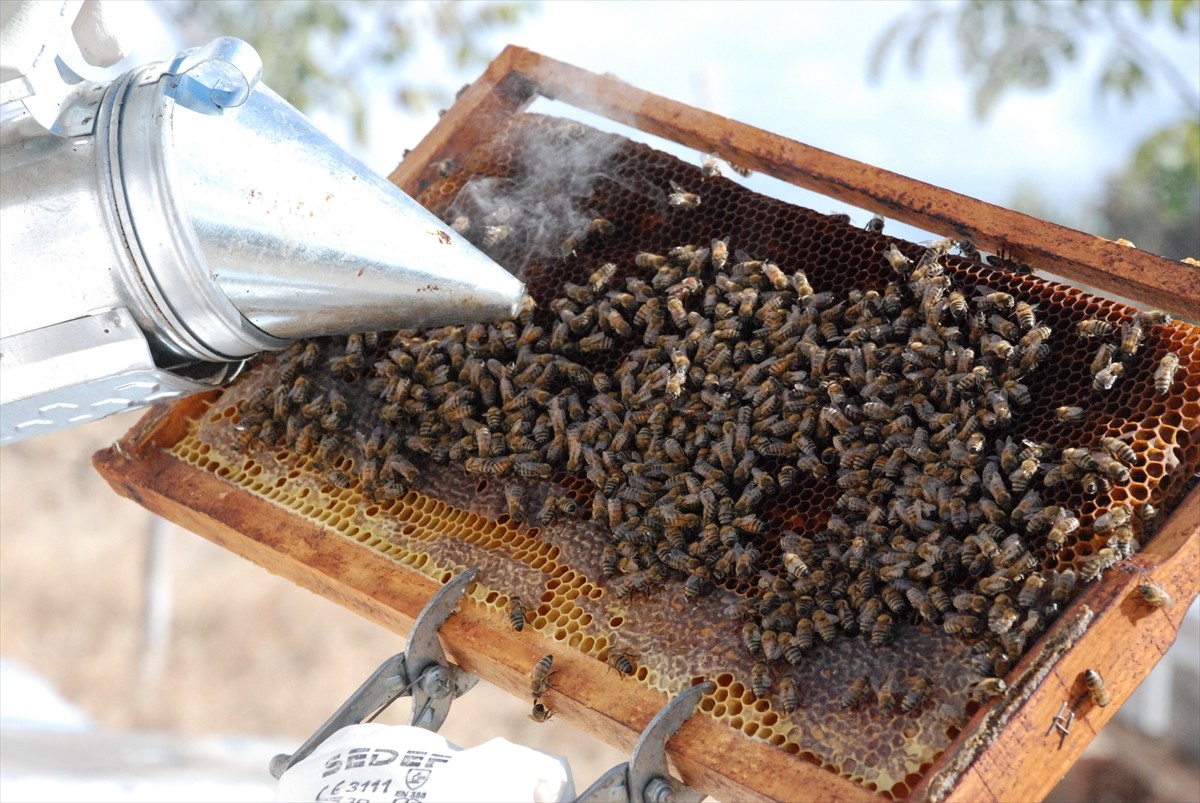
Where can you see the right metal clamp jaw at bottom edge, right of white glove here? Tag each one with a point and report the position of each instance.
(645, 778)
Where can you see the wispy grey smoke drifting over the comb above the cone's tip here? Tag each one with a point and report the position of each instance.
(543, 209)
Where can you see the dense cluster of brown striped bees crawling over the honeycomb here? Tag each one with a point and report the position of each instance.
(737, 381)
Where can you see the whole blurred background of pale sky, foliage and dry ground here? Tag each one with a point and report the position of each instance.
(140, 662)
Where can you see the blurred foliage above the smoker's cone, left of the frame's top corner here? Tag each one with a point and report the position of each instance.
(321, 53)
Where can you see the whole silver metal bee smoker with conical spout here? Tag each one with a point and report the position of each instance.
(161, 229)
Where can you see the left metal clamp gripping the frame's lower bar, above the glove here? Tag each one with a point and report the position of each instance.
(422, 672)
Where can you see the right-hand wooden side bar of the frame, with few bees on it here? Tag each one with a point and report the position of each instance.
(1011, 752)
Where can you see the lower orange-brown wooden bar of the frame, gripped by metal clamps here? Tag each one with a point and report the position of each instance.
(386, 592)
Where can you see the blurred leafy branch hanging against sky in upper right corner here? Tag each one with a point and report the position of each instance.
(1023, 44)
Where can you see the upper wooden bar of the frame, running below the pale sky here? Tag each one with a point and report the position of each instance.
(1082, 257)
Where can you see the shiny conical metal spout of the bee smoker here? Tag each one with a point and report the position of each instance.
(305, 241)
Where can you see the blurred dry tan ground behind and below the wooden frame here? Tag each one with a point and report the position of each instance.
(251, 654)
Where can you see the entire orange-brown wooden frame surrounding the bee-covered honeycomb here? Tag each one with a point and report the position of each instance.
(1007, 752)
